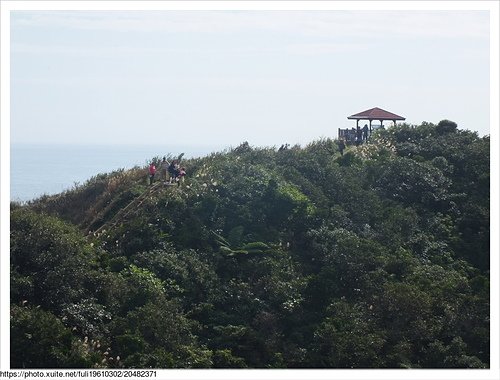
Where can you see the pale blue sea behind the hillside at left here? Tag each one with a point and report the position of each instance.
(37, 170)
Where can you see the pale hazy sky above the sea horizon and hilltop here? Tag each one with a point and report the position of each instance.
(223, 77)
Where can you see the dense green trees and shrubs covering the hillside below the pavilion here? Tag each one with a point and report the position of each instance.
(265, 258)
